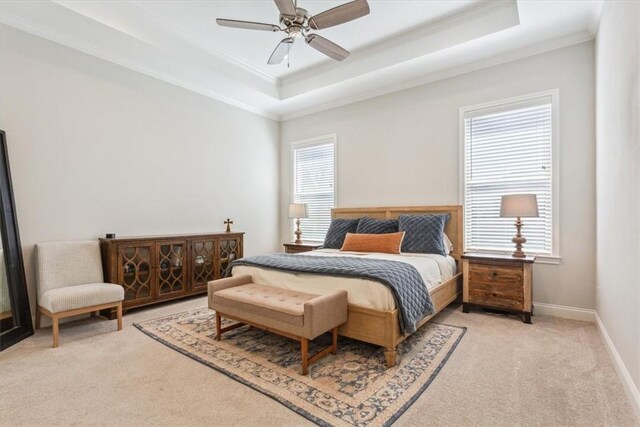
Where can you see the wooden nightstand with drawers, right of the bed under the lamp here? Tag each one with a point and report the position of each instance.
(499, 282)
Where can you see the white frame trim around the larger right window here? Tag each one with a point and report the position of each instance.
(517, 102)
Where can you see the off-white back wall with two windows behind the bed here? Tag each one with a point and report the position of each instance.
(402, 149)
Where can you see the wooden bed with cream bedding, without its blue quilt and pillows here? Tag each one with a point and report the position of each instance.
(372, 315)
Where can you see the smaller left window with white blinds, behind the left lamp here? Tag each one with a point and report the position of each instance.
(314, 184)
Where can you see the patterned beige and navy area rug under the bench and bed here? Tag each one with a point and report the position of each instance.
(351, 388)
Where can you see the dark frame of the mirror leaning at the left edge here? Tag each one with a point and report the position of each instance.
(22, 326)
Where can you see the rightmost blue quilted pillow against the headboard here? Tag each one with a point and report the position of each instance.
(423, 233)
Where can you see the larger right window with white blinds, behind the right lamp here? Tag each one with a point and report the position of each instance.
(509, 148)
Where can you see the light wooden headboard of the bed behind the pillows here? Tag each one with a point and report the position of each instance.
(453, 228)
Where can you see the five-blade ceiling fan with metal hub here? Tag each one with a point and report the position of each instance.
(297, 23)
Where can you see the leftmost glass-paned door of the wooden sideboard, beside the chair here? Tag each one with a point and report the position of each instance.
(135, 273)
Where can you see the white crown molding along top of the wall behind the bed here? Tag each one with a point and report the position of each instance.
(445, 74)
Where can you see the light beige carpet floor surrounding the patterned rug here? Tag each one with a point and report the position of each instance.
(503, 373)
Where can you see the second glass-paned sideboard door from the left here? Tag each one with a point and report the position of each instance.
(171, 268)
